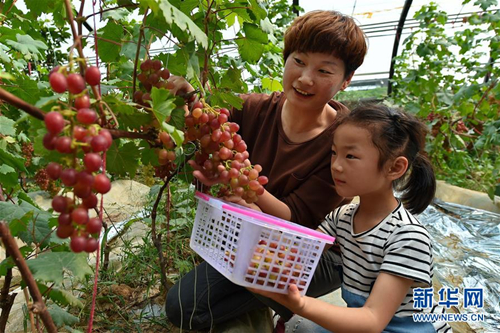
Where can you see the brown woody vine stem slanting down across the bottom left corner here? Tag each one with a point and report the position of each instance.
(38, 303)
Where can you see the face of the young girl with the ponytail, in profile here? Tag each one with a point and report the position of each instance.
(354, 163)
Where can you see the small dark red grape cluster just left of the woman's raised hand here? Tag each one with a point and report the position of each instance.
(152, 75)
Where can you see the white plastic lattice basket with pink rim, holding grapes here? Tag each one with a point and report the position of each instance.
(254, 249)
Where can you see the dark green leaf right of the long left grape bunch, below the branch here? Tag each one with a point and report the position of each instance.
(122, 159)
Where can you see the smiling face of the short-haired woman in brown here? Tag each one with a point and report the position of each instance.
(310, 80)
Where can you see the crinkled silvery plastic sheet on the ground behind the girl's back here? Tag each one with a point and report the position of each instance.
(467, 255)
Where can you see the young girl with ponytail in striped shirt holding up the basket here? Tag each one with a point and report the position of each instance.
(386, 252)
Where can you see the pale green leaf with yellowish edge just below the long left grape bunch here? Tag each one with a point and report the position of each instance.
(50, 267)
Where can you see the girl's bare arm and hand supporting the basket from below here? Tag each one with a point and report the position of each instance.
(385, 298)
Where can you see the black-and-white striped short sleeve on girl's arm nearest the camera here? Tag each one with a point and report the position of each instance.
(408, 254)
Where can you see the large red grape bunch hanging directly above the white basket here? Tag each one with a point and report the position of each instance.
(223, 154)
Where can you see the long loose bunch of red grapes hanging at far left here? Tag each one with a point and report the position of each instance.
(74, 132)
